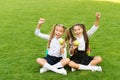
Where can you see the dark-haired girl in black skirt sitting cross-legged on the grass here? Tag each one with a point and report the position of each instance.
(79, 59)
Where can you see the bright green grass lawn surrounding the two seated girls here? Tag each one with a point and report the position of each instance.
(19, 47)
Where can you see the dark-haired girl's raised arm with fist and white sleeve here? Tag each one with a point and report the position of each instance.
(95, 26)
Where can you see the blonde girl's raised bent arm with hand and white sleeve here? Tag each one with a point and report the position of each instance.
(37, 31)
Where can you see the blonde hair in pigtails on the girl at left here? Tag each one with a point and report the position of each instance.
(53, 32)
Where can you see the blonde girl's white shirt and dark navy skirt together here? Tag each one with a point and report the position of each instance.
(54, 56)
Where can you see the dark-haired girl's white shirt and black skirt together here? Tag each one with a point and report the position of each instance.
(80, 56)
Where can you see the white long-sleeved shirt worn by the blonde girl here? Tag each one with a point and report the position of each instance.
(54, 49)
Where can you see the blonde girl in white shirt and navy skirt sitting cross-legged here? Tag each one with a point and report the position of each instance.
(56, 57)
